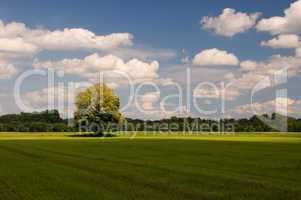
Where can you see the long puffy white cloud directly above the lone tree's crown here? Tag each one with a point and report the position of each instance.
(111, 65)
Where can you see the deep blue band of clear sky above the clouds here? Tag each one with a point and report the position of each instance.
(158, 24)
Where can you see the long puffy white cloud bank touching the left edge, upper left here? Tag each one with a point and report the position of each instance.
(16, 37)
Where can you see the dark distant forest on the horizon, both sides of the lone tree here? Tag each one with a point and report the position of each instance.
(50, 121)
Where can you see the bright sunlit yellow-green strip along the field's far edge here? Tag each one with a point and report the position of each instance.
(248, 137)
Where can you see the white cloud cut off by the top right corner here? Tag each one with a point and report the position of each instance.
(290, 23)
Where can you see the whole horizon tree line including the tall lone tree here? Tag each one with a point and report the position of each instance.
(97, 111)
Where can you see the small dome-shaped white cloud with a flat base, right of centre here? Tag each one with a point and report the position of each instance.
(215, 57)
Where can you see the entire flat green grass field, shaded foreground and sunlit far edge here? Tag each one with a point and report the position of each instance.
(54, 166)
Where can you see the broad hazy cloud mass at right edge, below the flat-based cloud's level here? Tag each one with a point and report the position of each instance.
(256, 76)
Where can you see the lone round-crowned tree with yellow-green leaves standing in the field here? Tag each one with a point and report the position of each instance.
(97, 107)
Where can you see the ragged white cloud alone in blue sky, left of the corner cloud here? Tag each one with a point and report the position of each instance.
(230, 22)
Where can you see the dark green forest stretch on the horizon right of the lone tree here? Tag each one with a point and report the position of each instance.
(262, 123)
